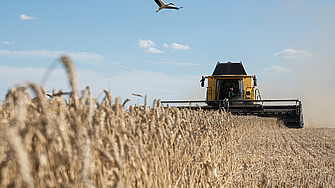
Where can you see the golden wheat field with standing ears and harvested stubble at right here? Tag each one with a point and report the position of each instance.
(52, 141)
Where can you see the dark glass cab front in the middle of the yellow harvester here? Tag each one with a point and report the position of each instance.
(228, 89)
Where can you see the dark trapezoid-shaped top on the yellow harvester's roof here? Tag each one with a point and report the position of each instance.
(229, 69)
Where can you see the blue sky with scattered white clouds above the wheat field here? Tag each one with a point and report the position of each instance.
(126, 47)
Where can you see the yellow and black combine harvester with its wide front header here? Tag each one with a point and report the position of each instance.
(230, 88)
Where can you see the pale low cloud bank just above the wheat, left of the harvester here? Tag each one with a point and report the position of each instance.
(157, 85)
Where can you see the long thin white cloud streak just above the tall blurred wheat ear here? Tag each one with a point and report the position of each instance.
(84, 57)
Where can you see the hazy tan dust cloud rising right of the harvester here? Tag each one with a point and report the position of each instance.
(311, 80)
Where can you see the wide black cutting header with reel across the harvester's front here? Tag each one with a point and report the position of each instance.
(289, 111)
